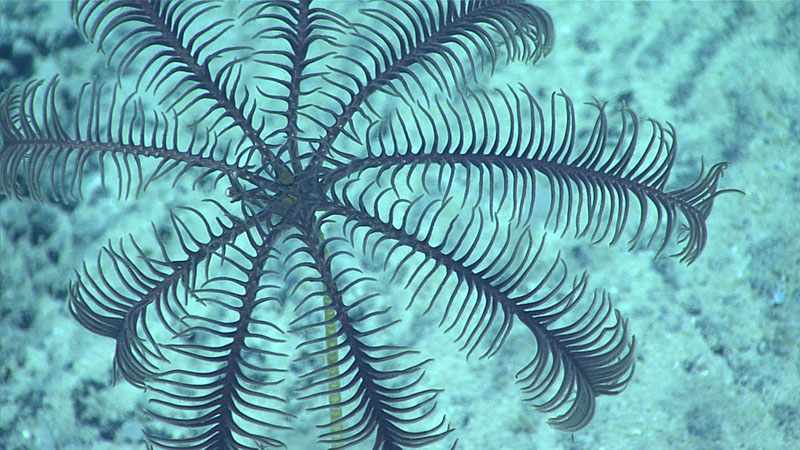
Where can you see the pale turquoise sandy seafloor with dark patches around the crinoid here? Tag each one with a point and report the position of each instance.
(718, 343)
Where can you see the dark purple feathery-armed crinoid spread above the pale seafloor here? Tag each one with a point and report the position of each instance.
(355, 174)
